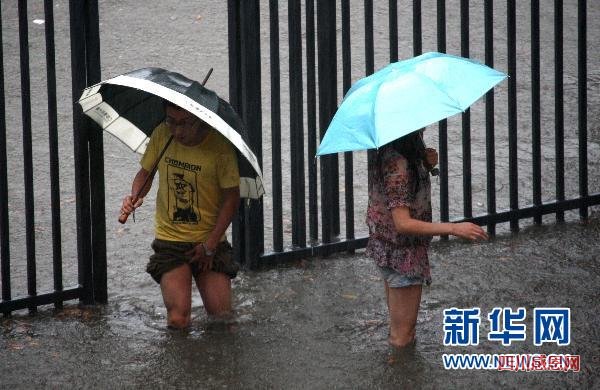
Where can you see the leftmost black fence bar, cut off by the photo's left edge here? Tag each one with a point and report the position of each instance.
(4, 226)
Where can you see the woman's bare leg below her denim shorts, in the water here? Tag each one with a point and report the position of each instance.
(403, 304)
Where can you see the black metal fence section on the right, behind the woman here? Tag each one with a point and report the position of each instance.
(313, 76)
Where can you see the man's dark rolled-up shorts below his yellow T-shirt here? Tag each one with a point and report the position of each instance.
(169, 255)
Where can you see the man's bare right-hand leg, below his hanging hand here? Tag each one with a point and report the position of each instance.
(215, 290)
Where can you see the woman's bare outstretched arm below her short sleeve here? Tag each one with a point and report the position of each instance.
(405, 224)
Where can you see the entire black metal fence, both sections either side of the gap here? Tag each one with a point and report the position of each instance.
(305, 218)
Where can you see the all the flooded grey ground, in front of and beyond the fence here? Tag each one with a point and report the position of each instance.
(318, 323)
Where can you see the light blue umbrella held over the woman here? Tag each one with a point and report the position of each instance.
(404, 97)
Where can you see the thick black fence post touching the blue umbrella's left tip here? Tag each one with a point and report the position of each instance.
(327, 78)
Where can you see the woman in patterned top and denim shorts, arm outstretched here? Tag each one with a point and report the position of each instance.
(400, 229)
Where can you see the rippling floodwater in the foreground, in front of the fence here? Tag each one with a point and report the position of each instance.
(322, 323)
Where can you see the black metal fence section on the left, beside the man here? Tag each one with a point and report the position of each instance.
(88, 162)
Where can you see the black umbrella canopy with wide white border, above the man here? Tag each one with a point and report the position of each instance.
(131, 105)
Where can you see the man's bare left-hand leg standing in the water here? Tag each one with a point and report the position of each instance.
(176, 287)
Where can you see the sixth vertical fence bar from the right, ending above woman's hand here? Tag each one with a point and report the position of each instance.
(466, 116)
